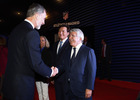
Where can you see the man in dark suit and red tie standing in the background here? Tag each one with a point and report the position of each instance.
(105, 60)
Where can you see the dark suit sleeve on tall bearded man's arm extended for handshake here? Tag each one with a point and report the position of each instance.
(34, 56)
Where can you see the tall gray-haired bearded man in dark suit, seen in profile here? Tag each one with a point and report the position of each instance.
(24, 57)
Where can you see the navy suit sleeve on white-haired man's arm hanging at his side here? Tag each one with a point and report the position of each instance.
(91, 67)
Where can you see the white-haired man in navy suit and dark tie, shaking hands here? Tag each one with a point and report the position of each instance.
(80, 69)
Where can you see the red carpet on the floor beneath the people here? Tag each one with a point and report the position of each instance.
(105, 90)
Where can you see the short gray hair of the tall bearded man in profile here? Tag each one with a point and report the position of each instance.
(35, 8)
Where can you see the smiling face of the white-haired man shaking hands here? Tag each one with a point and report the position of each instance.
(74, 39)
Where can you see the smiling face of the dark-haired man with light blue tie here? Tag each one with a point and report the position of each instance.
(62, 33)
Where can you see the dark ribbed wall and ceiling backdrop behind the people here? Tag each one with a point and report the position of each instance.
(118, 21)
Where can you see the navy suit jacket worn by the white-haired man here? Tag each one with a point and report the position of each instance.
(82, 72)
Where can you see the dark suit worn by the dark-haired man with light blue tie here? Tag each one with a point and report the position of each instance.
(59, 78)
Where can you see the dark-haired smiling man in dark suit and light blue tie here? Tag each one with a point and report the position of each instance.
(58, 53)
